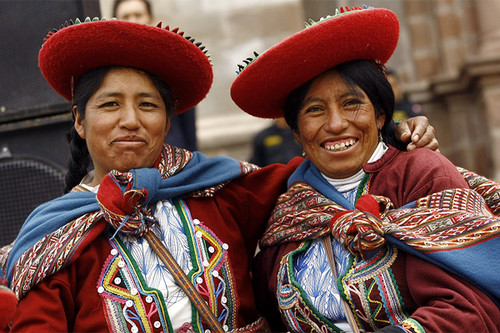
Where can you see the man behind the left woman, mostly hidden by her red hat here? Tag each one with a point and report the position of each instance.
(182, 132)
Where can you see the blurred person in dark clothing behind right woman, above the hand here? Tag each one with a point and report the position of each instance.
(403, 108)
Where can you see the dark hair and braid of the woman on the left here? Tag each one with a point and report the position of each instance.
(88, 84)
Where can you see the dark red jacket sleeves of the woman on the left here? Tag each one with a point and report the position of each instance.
(68, 300)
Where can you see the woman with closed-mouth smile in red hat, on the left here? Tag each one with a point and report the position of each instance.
(154, 238)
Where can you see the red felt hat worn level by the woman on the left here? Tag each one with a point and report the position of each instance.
(79, 47)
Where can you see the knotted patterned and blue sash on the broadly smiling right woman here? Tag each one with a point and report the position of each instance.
(453, 229)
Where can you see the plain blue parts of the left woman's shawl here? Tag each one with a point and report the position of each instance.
(199, 173)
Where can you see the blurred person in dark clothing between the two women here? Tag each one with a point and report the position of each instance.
(275, 144)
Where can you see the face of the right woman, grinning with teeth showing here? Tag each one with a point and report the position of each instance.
(337, 126)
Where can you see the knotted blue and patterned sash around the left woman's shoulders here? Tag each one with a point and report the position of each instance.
(58, 230)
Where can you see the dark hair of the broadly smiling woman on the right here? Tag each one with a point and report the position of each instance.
(358, 73)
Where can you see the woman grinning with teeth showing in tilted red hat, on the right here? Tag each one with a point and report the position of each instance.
(334, 257)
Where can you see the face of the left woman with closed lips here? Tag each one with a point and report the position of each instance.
(125, 123)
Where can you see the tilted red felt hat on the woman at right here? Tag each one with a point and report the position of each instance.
(262, 87)
